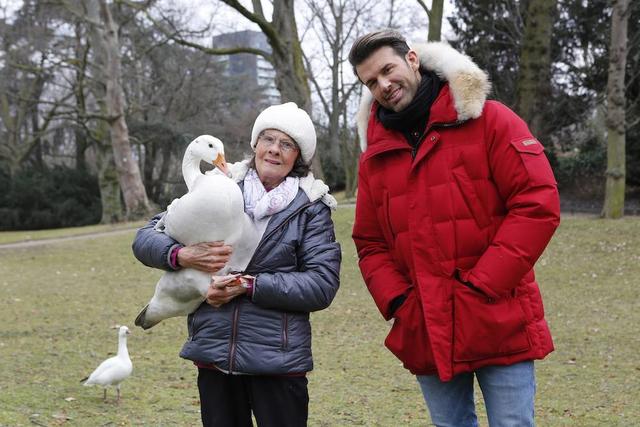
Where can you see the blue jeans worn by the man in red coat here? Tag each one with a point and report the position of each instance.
(508, 393)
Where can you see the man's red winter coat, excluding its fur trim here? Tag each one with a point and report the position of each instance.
(477, 204)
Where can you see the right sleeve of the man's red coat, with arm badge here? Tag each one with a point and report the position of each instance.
(526, 183)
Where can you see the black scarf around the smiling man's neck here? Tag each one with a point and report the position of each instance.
(413, 119)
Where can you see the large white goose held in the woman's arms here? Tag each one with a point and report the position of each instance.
(212, 210)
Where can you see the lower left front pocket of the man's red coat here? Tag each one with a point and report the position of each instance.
(408, 339)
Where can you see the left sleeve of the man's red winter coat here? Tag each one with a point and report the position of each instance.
(381, 275)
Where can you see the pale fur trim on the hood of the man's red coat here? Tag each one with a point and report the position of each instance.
(469, 85)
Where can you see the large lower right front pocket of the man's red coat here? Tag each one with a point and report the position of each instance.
(486, 328)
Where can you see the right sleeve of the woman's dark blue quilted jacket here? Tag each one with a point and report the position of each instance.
(315, 285)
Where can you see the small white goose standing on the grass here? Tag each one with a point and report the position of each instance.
(115, 369)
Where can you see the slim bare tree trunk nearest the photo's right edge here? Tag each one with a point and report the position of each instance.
(616, 171)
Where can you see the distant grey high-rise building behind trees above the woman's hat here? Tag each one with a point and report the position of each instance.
(253, 67)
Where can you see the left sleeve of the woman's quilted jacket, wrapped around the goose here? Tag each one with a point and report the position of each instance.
(153, 248)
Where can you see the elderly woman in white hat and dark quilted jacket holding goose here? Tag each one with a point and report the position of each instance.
(251, 338)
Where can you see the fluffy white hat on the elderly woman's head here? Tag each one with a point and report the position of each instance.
(293, 121)
